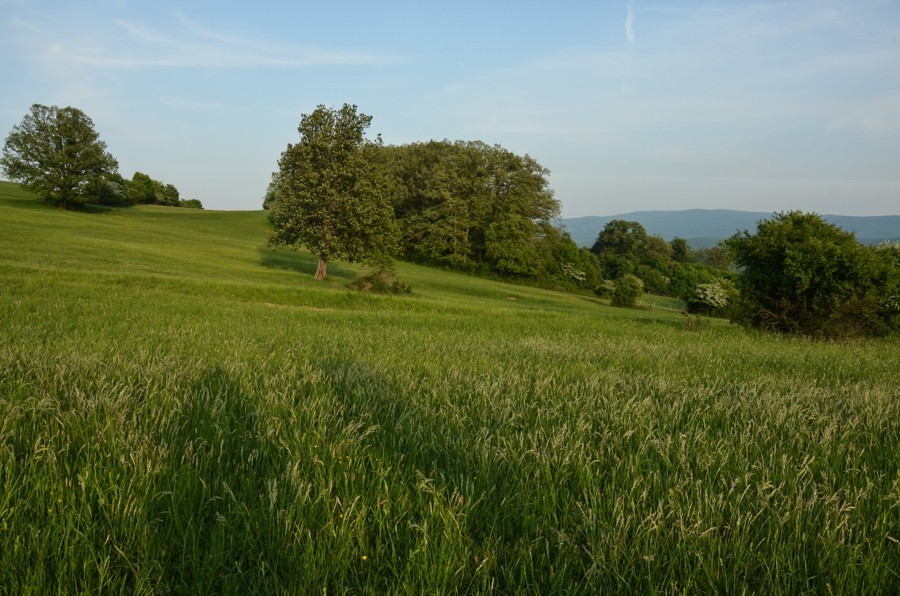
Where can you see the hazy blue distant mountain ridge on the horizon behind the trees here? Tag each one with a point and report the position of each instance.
(703, 228)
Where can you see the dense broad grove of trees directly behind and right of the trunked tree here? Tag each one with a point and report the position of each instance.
(473, 207)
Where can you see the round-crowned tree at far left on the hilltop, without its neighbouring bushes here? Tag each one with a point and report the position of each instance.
(56, 153)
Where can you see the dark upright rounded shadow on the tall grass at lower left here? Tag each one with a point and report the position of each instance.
(210, 522)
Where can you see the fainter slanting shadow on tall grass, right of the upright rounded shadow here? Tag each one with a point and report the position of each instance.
(442, 474)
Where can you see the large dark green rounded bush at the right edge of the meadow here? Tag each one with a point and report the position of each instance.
(800, 274)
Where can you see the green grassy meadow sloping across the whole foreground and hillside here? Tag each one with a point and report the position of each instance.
(184, 410)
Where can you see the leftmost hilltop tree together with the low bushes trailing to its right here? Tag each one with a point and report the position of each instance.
(56, 153)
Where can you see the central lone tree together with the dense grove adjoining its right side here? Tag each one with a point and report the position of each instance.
(466, 205)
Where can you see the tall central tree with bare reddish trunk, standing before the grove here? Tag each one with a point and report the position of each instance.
(332, 195)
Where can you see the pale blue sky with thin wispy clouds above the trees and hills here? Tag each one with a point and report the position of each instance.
(632, 105)
